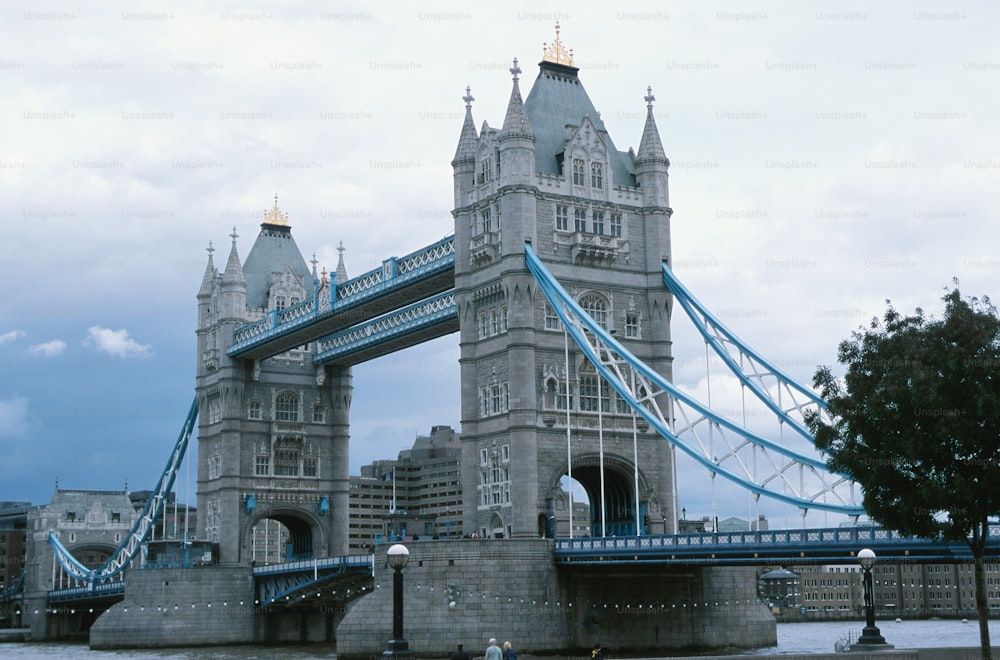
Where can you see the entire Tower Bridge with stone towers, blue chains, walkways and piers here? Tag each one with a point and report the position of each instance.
(557, 281)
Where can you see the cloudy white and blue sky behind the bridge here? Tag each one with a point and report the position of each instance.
(825, 157)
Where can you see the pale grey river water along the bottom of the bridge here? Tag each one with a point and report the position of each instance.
(792, 638)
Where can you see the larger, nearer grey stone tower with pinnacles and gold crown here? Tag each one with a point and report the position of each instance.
(599, 218)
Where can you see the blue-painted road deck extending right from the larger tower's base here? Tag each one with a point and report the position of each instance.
(819, 546)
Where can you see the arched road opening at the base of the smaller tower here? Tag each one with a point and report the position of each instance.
(299, 536)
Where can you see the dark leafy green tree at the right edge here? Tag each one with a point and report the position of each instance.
(916, 422)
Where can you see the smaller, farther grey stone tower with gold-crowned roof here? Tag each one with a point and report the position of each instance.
(272, 433)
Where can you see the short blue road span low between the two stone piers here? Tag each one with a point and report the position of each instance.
(298, 579)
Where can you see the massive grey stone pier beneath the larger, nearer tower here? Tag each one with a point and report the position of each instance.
(467, 591)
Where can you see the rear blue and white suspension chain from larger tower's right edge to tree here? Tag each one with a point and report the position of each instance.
(720, 338)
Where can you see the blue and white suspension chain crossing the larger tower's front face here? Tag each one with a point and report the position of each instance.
(649, 394)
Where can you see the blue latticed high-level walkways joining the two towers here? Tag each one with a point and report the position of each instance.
(398, 282)
